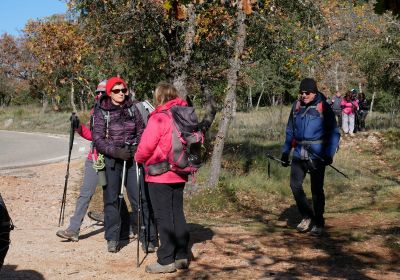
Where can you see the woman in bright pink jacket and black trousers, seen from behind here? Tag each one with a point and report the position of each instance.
(166, 189)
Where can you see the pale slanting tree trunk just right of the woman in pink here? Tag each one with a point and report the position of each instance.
(229, 99)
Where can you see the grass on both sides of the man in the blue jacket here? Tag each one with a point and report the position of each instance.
(246, 192)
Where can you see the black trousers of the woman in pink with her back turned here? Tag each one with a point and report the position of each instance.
(167, 201)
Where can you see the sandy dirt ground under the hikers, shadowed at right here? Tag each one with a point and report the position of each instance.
(224, 251)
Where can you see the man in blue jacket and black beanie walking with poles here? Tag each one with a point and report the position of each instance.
(313, 135)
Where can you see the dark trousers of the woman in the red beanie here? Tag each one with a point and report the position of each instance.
(116, 225)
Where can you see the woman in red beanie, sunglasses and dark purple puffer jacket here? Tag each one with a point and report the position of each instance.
(118, 127)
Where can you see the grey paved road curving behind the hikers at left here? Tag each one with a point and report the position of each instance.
(21, 149)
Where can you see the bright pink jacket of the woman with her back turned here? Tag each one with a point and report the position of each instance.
(155, 143)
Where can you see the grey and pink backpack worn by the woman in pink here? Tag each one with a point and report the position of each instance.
(187, 141)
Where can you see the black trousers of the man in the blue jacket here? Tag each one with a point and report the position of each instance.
(298, 171)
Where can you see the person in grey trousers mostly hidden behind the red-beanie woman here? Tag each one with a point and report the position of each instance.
(90, 178)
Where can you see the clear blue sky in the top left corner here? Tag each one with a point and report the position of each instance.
(14, 14)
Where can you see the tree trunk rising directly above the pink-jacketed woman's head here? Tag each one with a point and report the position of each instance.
(180, 75)
